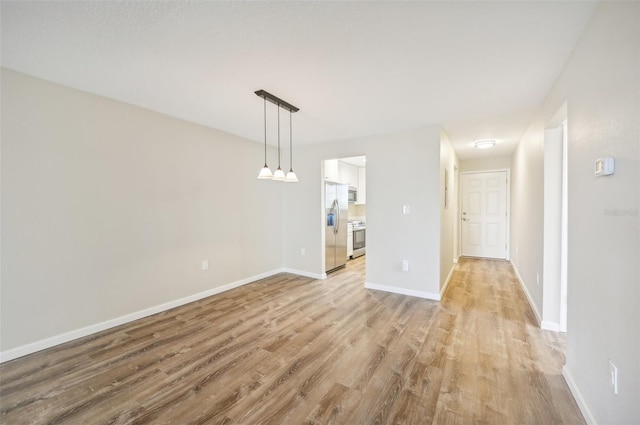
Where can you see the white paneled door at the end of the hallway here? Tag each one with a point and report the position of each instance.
(484, 215)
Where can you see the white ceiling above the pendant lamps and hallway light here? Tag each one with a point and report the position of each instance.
(479, 69)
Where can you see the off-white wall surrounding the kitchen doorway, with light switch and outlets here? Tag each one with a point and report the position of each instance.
(402, 168)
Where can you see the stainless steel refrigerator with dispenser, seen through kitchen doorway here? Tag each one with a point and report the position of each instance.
(336, 210)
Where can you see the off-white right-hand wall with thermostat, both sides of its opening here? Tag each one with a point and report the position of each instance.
(600, 84)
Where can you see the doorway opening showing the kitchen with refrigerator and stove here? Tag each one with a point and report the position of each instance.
(344, 198)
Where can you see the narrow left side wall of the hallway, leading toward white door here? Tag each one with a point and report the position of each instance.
(448, 216)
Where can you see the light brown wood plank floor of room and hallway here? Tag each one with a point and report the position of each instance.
(292, 350)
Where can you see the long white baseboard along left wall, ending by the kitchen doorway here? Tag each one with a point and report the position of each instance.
(33, 347)
